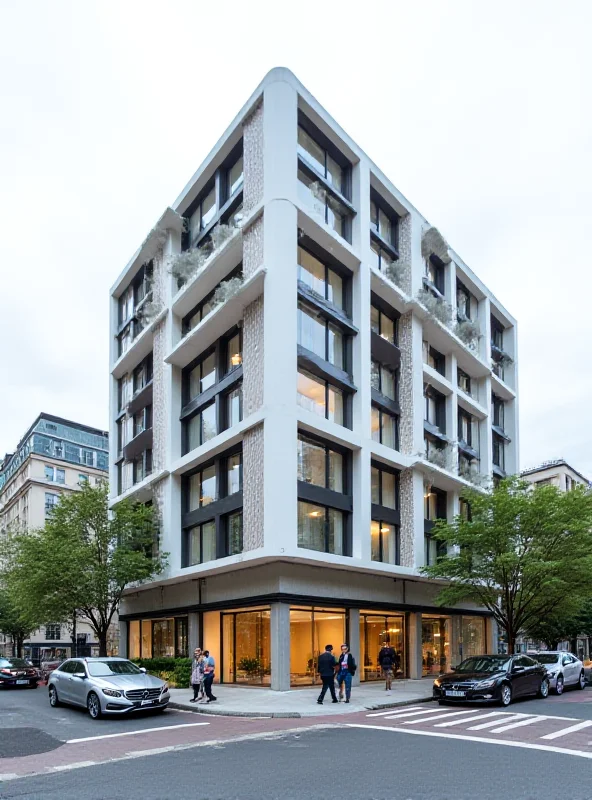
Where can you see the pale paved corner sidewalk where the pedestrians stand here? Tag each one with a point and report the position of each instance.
(248, 701)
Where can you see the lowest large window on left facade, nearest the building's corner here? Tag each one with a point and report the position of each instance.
(212, 509)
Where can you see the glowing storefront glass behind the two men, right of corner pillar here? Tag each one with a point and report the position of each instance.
(310, 630)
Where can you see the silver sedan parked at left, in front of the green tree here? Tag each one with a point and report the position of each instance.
(107, 686)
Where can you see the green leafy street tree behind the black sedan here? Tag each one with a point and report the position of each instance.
(520, 554)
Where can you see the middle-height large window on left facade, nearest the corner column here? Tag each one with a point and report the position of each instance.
(212, 392)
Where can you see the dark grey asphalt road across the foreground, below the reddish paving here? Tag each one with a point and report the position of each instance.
(352, 763)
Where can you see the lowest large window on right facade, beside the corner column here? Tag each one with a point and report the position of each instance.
(324, 499)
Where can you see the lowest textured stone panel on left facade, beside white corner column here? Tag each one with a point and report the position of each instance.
(253, 488)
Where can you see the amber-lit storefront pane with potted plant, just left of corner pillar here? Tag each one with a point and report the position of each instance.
(246, 642)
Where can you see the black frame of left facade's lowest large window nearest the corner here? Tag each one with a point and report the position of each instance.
(218, 511)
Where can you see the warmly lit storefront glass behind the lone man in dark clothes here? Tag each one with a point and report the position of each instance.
(376, 630)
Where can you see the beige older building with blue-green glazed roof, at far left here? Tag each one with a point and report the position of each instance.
(53, 457)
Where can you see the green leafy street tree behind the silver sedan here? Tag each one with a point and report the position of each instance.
(79, 564)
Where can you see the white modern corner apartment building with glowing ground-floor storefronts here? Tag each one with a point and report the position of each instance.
(304, 377)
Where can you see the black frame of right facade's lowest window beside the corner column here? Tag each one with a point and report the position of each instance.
(328, 498)
